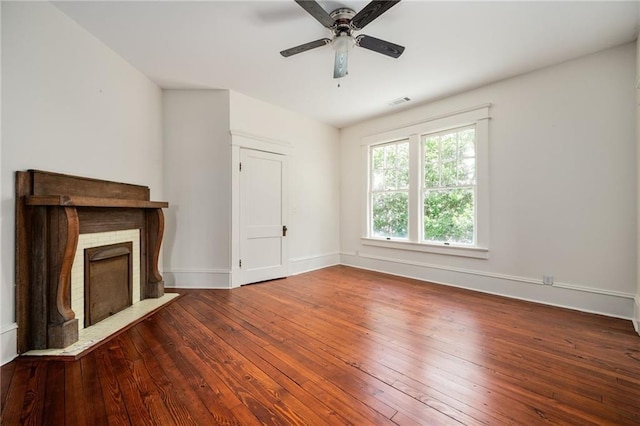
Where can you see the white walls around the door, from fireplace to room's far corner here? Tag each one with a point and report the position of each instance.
(198, 128)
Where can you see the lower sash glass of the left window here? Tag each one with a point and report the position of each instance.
(390, 212)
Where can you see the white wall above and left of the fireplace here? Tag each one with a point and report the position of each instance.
(69, 105)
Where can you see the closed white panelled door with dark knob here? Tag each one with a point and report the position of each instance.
(263, 199)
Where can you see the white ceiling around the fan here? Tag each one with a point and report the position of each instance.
(450, 47)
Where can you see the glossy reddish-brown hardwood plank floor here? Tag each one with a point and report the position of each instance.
(341, 346)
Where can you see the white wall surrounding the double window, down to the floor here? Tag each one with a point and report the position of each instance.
(562, 188)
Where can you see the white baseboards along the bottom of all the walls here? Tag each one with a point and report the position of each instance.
(565, 295)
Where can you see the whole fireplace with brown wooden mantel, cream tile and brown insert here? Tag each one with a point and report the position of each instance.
(57, 218)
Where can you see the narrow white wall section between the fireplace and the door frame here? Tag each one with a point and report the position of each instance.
(198, 183)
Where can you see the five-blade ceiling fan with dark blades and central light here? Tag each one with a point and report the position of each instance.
(343, 22)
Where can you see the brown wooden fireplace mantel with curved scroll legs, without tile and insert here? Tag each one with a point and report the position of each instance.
(52, 210)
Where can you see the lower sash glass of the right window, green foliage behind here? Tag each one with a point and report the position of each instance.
(449, 215)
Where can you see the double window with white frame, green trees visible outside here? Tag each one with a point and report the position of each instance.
(428, 185)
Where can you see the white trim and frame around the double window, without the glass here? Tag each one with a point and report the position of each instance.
(478, 116)
